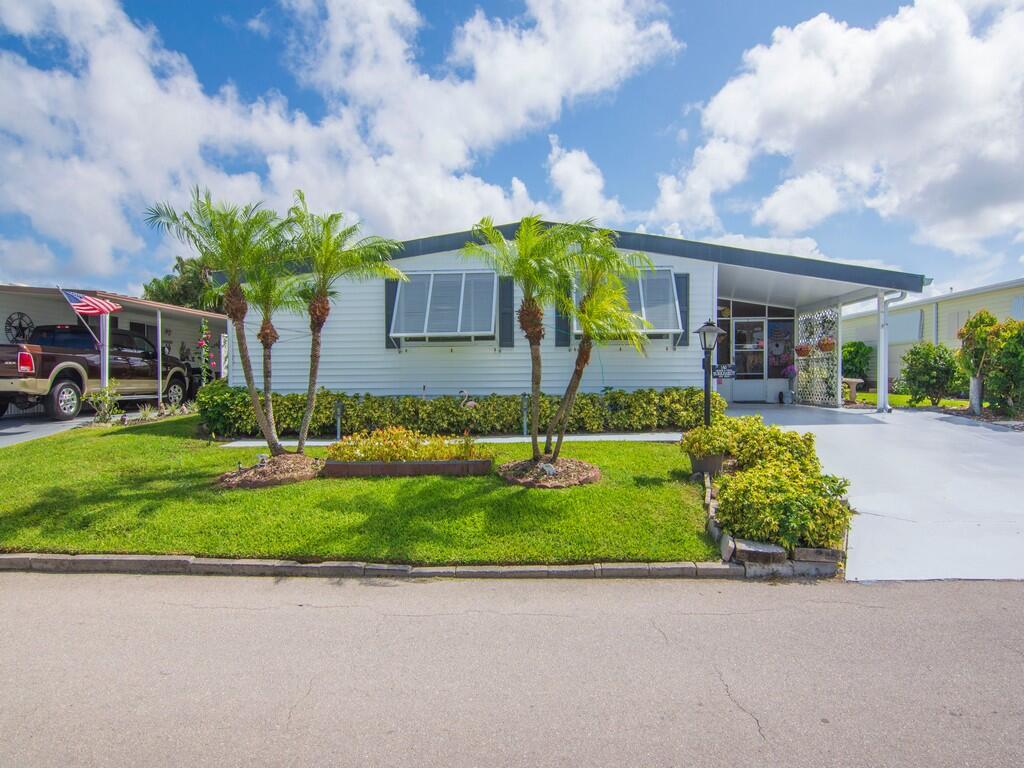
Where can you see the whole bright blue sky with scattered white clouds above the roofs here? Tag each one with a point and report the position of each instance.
(862, 132)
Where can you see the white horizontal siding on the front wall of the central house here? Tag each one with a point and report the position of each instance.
(355, 359)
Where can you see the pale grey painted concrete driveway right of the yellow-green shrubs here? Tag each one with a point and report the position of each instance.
(938, 497)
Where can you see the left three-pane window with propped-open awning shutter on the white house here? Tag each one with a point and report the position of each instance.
(446, 306)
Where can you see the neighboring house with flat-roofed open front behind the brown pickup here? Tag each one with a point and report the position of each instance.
(25, 308)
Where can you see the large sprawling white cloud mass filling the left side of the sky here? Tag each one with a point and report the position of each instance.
(124, 122)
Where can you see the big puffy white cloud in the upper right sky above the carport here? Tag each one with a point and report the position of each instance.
(921, 117)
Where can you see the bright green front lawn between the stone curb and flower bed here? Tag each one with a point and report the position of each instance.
(149, 489)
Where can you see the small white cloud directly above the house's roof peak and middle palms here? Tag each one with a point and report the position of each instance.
(581, 187)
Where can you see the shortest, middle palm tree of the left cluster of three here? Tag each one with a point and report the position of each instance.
(271, 288)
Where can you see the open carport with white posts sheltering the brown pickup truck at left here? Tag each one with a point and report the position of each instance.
(172, 331)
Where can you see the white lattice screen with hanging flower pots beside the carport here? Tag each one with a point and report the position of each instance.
(818, 374)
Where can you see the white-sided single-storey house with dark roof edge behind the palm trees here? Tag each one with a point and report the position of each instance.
(453, 326)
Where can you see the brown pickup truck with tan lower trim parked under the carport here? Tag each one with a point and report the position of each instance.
(60, 365)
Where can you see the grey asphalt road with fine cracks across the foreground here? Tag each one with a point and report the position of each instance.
(115, 670)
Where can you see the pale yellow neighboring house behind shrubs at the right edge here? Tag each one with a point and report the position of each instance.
(936, 320)
